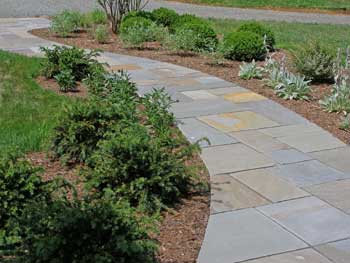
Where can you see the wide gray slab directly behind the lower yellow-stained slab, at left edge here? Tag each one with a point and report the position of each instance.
(203, 107)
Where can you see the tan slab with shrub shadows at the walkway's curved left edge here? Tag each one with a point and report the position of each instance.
(228, 194)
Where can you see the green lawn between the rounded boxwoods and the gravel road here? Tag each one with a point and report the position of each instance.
(289, 35)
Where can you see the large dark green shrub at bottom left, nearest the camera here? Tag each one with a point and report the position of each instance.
(97, 231)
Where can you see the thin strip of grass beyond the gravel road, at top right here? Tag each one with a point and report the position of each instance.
(311, 4)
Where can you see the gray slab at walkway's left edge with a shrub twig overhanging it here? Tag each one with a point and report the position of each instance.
(195, 130)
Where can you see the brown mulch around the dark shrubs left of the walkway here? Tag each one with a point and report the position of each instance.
(182, 228)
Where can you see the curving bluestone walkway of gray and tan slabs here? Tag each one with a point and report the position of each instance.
(280, 184)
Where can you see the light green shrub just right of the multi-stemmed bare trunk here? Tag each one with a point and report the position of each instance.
(135, 31)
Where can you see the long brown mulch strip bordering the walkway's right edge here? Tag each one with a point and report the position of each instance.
(229, 71)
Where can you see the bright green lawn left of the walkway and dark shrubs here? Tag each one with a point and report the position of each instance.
(27, 112)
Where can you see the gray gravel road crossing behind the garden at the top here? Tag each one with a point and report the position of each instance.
(28, 8)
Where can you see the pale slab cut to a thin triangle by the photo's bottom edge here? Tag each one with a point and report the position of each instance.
(301, 256)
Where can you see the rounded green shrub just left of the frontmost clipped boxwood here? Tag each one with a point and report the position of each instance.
(203, 36)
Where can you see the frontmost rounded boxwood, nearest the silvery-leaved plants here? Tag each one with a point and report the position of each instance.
(243, 46)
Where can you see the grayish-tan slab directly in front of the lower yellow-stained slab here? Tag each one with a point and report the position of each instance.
(259, 141)
